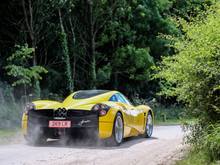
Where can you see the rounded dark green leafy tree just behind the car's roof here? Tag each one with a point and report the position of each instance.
(132, 65)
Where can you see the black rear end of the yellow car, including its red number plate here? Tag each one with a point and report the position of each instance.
(52, 123)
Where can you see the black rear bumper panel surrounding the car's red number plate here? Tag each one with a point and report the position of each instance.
(83, 123)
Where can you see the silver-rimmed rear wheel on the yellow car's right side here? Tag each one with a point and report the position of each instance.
(118, 131)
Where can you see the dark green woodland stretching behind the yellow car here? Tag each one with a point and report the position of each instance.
(82, 53)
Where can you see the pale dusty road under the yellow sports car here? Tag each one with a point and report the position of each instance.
(166, 141)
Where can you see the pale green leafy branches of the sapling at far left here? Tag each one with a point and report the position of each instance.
(18, 67)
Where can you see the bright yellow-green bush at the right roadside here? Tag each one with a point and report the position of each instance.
(192, 75)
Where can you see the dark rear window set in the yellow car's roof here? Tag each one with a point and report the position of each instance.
(84, 94)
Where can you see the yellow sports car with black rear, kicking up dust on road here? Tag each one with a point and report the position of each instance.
(95, 113)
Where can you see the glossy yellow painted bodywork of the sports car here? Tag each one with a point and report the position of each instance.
(134, 117)
